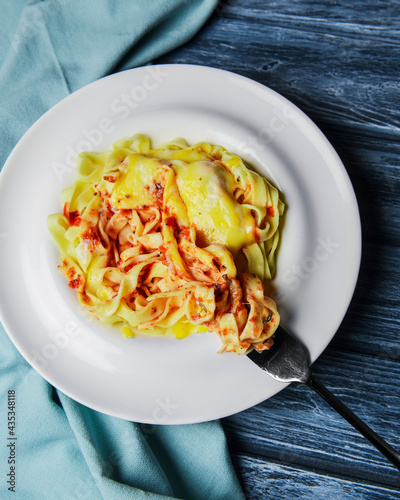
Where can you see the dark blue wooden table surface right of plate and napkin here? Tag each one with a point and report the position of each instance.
(339, 62)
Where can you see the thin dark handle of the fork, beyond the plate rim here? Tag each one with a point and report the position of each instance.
(314, 383)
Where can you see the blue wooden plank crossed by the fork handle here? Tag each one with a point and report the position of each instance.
(297, 427)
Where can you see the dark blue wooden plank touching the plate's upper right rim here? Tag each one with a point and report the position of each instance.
(332, 77)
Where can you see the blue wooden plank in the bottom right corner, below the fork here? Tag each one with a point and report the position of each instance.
(272, 480)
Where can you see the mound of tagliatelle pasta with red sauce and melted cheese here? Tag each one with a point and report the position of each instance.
(174, 240)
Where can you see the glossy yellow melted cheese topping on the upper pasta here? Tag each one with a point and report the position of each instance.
(202, 191)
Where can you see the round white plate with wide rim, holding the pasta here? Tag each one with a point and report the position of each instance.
(163, 380)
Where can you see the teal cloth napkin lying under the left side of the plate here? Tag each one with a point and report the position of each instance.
(62, 449)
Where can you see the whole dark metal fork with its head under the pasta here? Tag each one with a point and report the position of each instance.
(289, 361)
